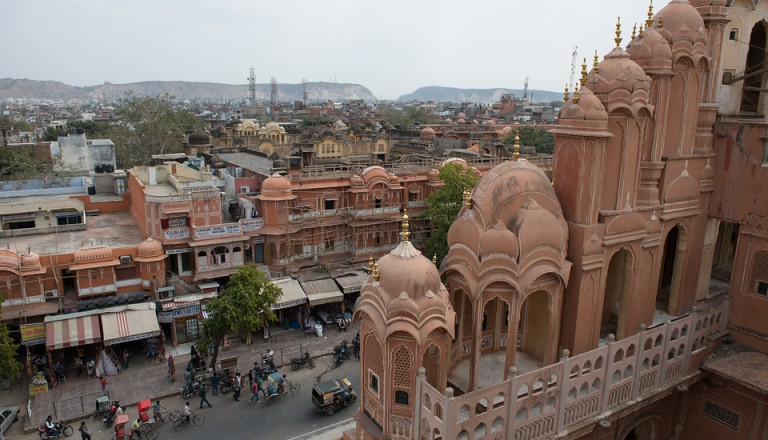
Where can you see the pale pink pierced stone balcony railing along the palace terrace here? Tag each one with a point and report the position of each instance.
(579, 389)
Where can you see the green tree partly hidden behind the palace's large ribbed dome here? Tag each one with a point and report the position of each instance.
(445, 204)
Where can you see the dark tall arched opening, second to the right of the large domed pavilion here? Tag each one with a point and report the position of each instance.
(671, 271)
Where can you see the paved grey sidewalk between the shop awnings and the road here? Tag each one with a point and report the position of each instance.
(146, 378)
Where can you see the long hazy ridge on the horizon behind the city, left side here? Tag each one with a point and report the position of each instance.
(54, 90)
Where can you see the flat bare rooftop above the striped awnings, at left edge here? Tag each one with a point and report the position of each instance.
(115, 230)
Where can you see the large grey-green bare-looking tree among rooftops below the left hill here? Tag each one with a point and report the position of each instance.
(149, 125)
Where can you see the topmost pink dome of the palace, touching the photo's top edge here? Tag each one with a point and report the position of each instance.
(683, 27)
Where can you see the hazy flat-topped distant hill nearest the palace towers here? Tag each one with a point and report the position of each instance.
(486, 96)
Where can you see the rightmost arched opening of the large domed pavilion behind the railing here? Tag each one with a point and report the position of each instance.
(535, 327)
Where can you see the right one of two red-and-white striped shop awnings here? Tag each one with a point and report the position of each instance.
(129, 325)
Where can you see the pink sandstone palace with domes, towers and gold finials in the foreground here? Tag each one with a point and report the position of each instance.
(624, 299)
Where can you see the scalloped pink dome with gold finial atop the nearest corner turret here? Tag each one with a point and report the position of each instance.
(405, 294)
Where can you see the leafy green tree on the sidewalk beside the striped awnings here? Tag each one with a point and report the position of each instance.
(242, 307)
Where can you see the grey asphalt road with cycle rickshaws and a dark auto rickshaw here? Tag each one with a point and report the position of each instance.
(293, 415)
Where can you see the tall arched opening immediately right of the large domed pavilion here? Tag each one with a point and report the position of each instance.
(618, 285)
